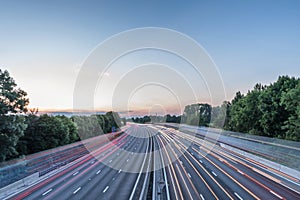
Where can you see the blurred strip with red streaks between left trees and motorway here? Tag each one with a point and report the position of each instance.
(46, 161)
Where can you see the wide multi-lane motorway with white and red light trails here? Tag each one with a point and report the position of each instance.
(155, 162)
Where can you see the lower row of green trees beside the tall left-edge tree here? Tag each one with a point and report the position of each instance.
(46, 132)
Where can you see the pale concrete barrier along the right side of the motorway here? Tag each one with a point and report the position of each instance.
(284, 169)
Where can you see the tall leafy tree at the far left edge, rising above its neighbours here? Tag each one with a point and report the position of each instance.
(13, 101)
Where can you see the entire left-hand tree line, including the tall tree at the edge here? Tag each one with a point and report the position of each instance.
(25, 132)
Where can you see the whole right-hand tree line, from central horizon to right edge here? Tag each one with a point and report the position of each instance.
(272, 111)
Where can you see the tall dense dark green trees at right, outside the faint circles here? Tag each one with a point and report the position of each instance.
(271, 111)
